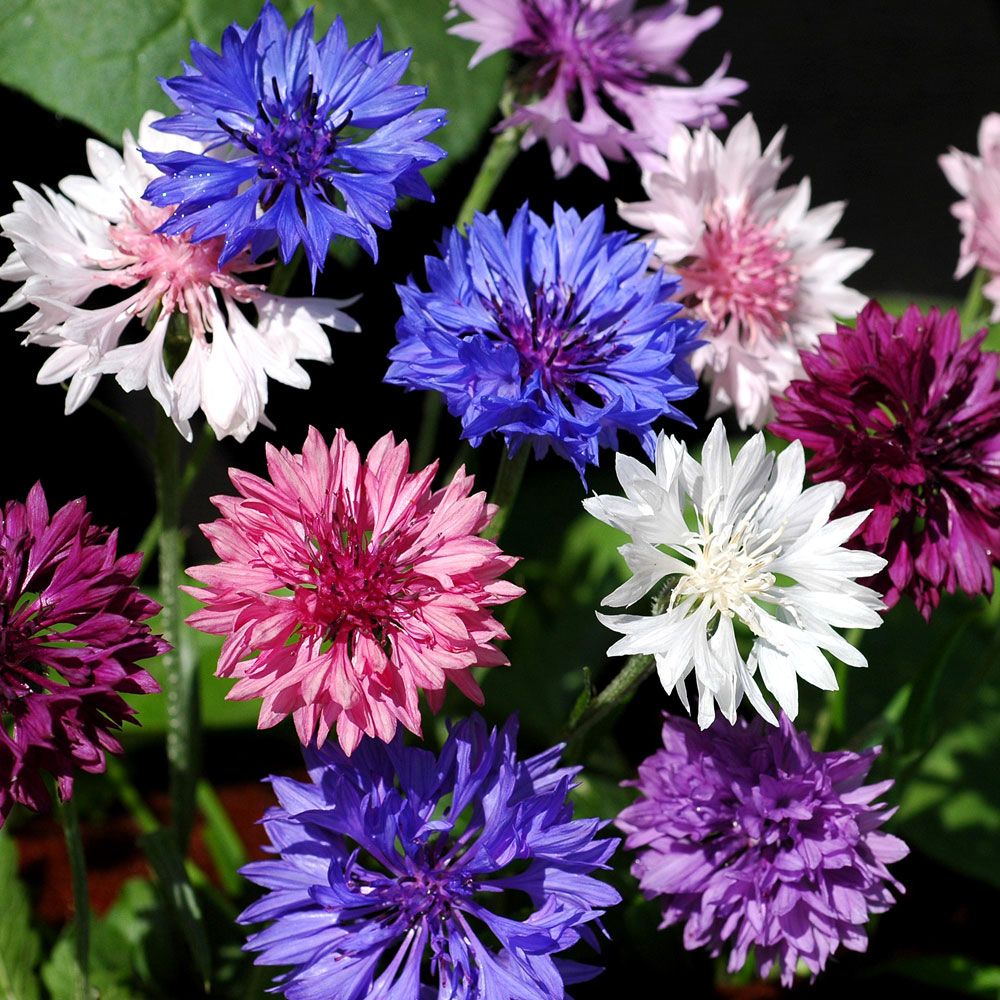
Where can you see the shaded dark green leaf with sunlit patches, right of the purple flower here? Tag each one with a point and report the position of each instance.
(931, 698)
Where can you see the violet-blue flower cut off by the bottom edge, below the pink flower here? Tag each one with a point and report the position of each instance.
(394, 862)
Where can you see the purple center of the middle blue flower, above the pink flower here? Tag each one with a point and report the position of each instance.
(554, 342)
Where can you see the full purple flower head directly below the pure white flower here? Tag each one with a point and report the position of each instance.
(755, 840)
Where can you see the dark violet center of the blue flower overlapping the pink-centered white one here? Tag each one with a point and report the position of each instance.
(294, 141)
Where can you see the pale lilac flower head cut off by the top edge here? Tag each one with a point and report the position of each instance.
(591, 86)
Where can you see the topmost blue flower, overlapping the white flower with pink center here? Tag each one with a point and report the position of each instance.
(313, 140)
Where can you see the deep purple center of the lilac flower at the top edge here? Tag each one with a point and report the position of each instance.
(581, 40)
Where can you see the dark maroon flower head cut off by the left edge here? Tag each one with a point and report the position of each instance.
(71, 638)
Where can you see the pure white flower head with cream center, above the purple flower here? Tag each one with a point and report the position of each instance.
(762, 551)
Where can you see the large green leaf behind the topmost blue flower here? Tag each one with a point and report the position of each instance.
(98, 63)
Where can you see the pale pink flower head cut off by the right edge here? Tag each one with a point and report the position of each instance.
(977, 179)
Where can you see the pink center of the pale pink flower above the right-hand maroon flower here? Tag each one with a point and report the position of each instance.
(743, 275)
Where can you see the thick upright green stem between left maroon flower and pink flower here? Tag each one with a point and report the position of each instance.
(180, 670)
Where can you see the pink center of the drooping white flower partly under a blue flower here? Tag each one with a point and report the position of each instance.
(179, 274)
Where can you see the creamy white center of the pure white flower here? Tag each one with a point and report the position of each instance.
(729, 565)
